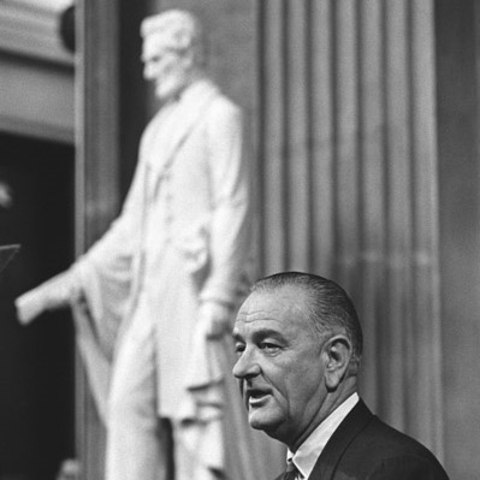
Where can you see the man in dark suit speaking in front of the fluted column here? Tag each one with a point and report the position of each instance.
(299, 345)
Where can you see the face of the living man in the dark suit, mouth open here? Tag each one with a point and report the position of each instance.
(280, 364)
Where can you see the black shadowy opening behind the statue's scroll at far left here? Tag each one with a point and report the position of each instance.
(36, 361)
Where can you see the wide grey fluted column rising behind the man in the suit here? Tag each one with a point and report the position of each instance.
(348, 180)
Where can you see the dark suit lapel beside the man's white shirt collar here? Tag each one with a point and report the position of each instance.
(348, 430)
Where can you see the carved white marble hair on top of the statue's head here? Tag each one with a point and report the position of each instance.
(181, 30)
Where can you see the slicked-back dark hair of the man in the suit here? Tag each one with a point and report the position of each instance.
(330, 308)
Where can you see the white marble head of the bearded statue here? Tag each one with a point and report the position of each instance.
(173, 52)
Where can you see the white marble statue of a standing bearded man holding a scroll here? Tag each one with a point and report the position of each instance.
(168, 273)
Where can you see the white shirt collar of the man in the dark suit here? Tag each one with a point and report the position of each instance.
(307, 454)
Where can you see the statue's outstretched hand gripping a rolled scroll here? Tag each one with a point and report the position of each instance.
(51, 295)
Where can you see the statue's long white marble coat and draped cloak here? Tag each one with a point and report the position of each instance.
(182, 238)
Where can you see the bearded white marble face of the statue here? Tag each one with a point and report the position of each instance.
(167, 68)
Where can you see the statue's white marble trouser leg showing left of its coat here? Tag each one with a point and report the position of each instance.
(134, 444)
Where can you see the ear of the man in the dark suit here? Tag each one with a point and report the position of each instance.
(339, 353)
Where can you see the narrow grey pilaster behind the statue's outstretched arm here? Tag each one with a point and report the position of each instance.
(97, 180)
